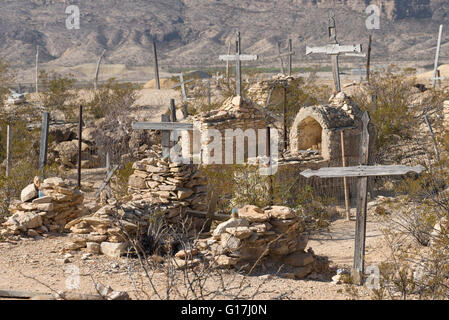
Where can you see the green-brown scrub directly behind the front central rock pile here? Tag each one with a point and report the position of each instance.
(240, 185)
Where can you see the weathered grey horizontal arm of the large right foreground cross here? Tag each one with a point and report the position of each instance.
(361, 171)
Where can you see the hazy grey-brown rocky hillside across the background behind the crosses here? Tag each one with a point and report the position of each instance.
(196, 31)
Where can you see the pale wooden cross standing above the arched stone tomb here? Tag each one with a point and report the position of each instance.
(334, 49)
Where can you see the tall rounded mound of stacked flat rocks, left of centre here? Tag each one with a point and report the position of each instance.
(171, 187)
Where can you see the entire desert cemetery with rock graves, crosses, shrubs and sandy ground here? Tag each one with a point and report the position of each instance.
(228, 181)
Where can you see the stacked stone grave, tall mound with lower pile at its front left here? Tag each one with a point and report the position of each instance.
(158, 187)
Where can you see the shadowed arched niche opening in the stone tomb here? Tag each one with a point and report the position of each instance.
(310, 135)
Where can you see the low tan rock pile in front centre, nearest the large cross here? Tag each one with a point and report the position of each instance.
(274, 234)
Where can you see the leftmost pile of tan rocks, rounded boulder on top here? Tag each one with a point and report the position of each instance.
(61, 203)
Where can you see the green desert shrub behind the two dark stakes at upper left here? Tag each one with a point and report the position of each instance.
(57, 93)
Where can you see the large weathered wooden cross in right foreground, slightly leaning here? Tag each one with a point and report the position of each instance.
(362, 172)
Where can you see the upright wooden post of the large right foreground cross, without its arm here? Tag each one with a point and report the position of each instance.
(360, 231)
